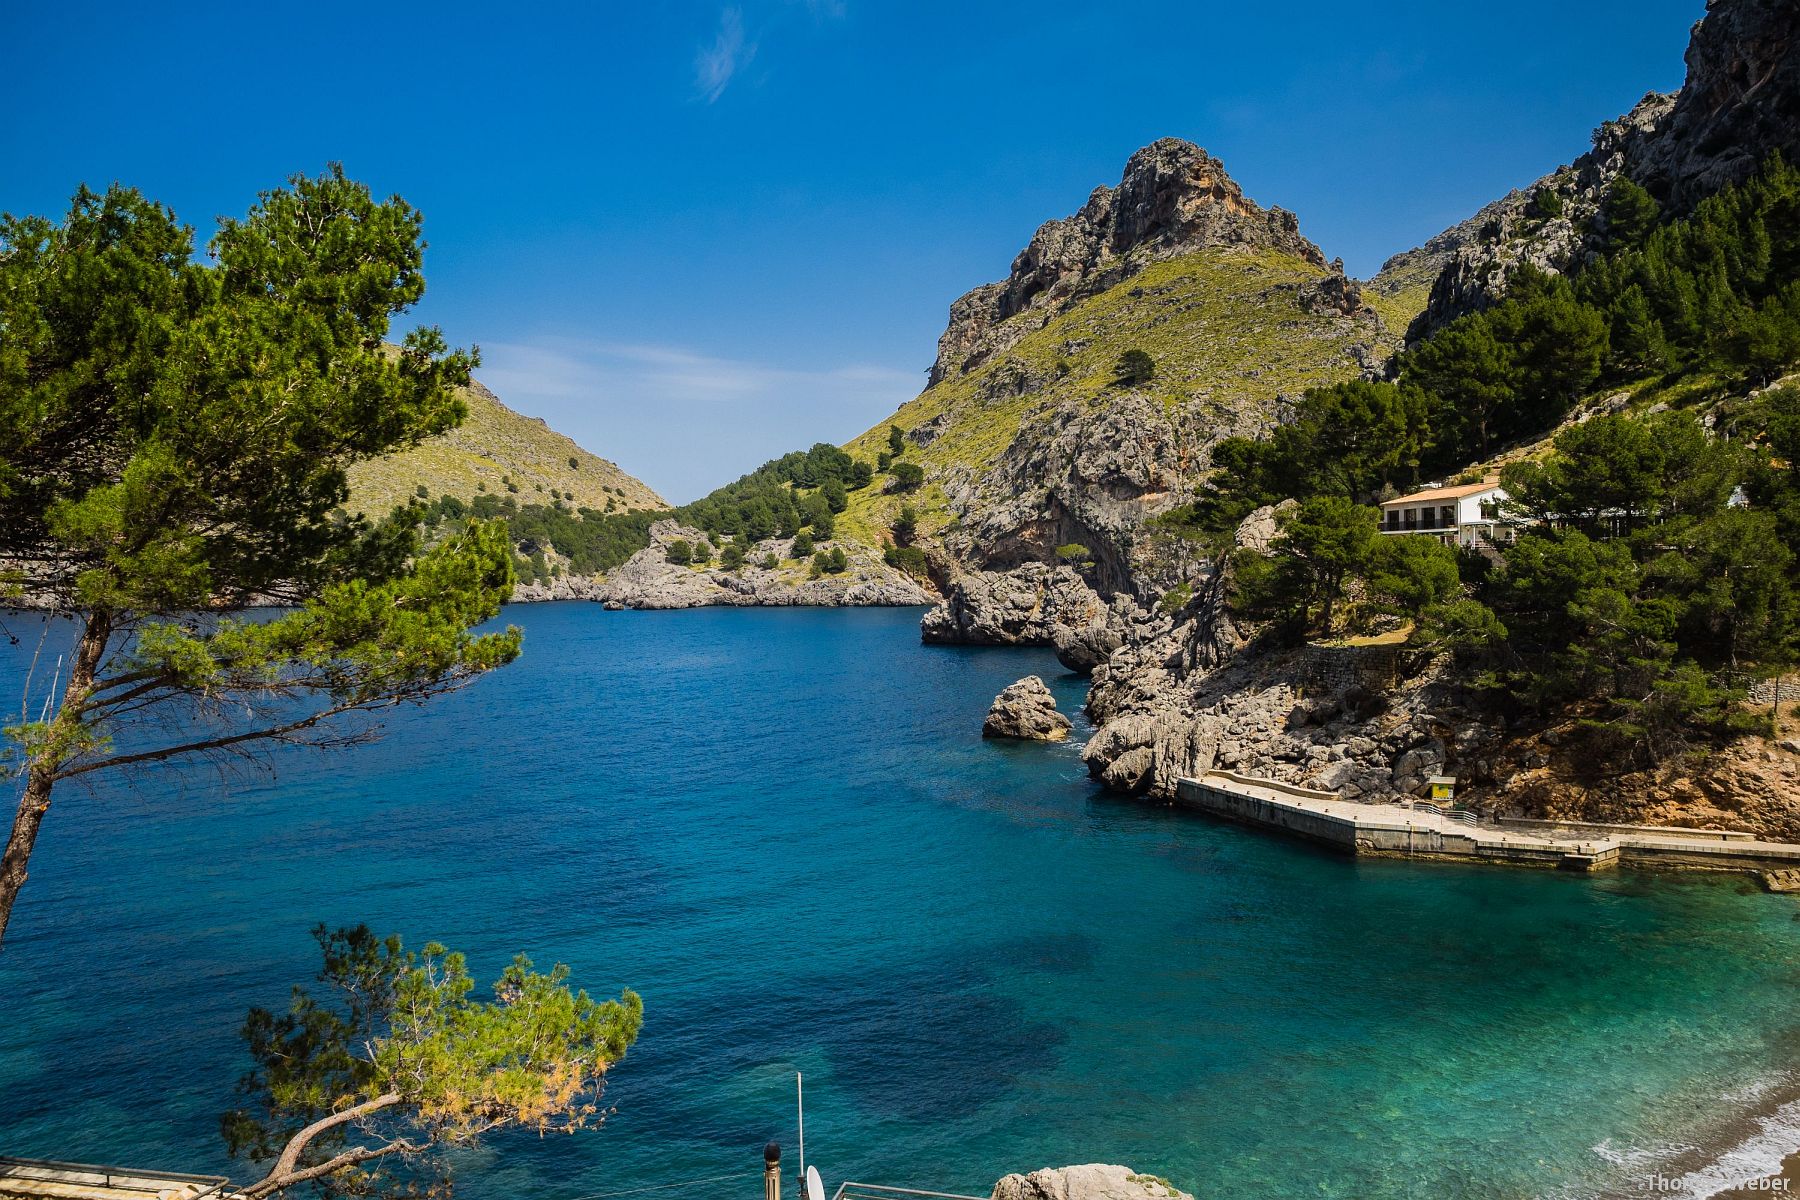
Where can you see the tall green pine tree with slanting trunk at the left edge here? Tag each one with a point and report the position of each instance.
(175, 434)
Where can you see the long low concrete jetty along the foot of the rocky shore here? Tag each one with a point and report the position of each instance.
(1434, 834)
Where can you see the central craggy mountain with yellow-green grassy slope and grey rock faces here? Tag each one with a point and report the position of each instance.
(1043, 467)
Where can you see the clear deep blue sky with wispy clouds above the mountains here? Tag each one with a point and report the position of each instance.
(699, 235)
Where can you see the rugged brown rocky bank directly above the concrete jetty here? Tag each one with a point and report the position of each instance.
(1376, 722)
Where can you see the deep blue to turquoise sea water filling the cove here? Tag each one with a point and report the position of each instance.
(786, 832)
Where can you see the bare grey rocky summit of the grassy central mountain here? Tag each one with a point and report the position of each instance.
(1173, 199)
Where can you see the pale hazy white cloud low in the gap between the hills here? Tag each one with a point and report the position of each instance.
(681, 420)
